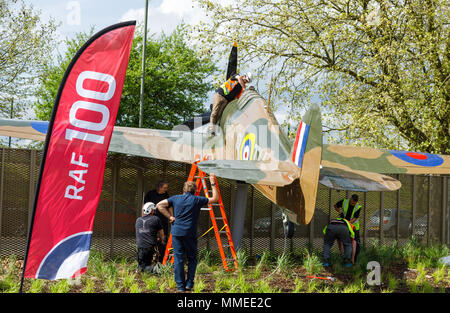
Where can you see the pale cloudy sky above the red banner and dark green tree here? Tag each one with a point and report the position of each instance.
(80, 15)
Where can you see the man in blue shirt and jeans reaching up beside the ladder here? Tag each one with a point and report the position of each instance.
(186, 208)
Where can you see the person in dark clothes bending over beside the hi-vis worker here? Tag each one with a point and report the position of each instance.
(341, 230)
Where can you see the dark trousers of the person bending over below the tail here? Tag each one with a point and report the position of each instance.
(333, 232)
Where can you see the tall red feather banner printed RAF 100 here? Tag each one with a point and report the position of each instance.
(71, 175)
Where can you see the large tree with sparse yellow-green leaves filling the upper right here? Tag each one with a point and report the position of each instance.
(381, 68)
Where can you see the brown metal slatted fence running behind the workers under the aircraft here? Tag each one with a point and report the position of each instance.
(419, 208)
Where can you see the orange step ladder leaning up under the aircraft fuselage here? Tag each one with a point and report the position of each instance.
(230, 263)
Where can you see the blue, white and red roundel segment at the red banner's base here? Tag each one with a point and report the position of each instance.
(68, 258)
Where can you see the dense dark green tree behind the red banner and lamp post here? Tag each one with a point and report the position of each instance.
(176, 81)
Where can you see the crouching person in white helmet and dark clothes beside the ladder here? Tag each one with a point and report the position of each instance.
(149, 235)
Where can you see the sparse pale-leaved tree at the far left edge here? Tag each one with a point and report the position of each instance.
(25, 45)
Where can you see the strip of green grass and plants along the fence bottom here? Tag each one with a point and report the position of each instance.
(267, 273)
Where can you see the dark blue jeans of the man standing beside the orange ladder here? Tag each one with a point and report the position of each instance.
(184, 246)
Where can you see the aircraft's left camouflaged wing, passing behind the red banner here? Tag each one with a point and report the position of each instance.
(180, 146)
